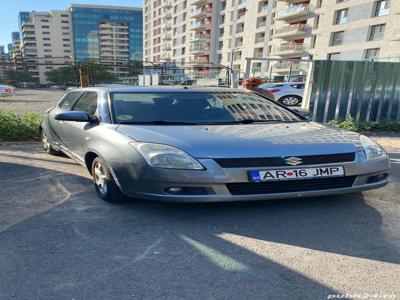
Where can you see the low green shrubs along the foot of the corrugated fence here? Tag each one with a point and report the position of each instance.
(350, 124)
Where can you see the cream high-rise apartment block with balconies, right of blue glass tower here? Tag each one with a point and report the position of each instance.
(229, 31)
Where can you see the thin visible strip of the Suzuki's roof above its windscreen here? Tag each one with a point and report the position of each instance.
(160, 89)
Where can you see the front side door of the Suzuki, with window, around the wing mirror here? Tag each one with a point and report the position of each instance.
(78, 133)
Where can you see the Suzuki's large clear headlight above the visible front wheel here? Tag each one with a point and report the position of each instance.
(164, 156)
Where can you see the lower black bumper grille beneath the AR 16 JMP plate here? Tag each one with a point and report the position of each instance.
(288, 186)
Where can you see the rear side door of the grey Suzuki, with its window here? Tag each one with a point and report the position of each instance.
(56, 126)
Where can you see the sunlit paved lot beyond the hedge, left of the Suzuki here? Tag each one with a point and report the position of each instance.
(27, 100)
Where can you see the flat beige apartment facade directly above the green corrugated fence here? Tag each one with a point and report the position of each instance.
(355, 30)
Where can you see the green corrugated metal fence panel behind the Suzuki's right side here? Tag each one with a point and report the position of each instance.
(364, 90)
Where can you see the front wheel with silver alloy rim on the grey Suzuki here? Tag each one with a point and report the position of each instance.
(104, 182)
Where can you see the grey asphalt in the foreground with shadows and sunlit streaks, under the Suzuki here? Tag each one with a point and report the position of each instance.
(59, 241)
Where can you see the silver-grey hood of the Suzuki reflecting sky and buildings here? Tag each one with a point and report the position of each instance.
(253, 140)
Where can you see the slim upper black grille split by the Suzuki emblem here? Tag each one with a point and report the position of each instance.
(280, 161)
